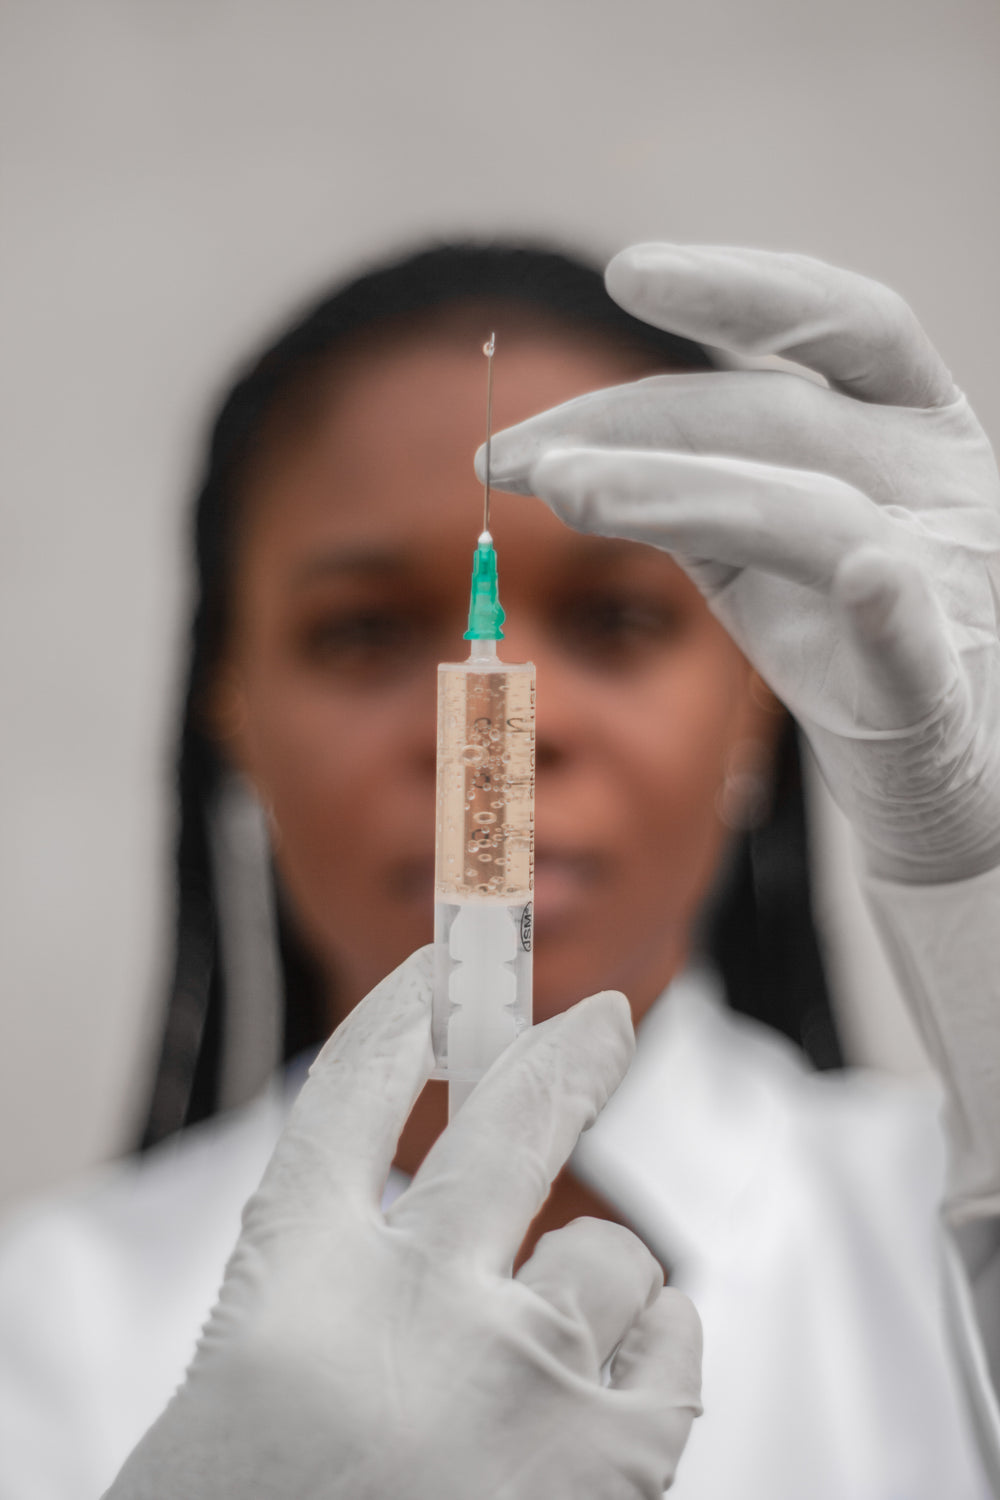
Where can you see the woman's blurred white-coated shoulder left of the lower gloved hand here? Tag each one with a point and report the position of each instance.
(104, 1288)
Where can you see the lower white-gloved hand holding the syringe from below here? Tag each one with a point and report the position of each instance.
(358, 1357)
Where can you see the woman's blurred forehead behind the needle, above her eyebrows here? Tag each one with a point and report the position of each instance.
(386, 443)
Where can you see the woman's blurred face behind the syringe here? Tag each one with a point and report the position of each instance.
(352, 586)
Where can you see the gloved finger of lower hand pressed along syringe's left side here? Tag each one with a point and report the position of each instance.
(344, 1129)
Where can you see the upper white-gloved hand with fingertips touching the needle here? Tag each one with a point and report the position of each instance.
(848, 538)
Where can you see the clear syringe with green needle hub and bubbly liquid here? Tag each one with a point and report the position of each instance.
(485, 838)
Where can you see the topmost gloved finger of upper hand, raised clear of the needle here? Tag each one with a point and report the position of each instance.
(858, 334)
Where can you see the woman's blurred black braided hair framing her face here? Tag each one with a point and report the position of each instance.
(761, 935)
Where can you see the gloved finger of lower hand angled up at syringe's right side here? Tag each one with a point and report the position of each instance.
(490, 1174)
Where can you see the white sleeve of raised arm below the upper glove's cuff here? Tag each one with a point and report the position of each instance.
(945, 947)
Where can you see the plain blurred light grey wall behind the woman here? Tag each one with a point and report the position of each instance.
(179, 173)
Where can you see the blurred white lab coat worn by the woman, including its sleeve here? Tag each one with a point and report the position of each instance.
(801, 1211)
